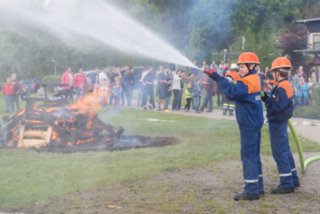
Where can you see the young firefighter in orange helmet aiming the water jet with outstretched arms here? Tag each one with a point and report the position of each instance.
(246, 93)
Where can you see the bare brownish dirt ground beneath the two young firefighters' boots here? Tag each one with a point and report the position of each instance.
(196, 190)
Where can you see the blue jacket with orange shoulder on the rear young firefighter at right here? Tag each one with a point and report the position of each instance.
(280, 103)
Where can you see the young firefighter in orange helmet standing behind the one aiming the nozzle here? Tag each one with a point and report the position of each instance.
(279, 109)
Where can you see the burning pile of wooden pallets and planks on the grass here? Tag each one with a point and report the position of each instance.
(45, 122)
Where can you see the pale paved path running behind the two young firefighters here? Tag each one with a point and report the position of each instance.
(307, 128)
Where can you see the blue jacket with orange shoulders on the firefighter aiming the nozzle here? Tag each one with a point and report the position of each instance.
(246, 93)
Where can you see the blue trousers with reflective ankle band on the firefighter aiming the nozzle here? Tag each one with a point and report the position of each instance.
(250, 157)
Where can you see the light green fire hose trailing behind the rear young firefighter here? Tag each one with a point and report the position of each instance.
(303, 163)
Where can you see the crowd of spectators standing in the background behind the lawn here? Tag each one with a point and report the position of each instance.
(161, 88)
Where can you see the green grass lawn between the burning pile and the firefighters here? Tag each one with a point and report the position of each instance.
(29, 177)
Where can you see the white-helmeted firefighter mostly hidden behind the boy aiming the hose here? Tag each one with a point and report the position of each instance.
(232, 75)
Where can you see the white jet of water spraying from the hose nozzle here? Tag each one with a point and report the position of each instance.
(91, 19)
